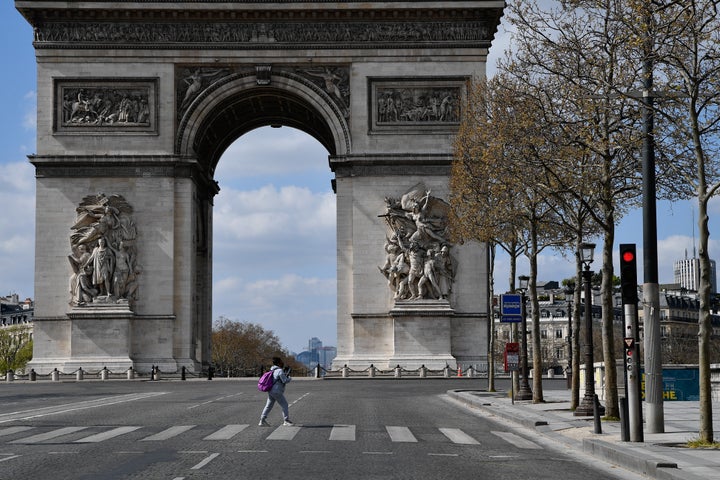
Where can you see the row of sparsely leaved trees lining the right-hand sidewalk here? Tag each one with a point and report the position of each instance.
(549, 150)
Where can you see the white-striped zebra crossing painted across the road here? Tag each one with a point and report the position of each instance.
(26, 435)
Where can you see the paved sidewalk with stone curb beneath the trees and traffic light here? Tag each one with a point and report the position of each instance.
(661, 456)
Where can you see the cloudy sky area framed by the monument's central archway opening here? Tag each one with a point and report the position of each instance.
(274, 236)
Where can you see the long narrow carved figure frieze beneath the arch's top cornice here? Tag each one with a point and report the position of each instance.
(286, 34)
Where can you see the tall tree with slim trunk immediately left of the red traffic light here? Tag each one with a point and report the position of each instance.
(576, 58)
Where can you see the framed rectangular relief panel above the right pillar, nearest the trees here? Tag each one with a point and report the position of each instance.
(415, 105)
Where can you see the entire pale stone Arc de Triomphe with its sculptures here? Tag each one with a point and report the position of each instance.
(137, 101)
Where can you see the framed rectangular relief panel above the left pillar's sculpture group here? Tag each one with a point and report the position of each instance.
(105, 106)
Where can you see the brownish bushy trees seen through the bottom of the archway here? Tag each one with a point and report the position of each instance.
(242, 349)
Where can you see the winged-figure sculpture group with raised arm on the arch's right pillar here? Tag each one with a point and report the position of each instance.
(418, 264)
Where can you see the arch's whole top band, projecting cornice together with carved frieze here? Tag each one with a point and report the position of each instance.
(254, 25)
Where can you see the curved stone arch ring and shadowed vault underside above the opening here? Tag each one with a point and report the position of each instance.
(229, 108)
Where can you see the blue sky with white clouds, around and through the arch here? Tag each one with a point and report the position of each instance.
(274, 236)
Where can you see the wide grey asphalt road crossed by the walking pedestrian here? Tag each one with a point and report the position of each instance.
(345, 429)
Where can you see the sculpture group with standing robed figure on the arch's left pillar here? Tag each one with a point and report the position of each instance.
(104, 257)
